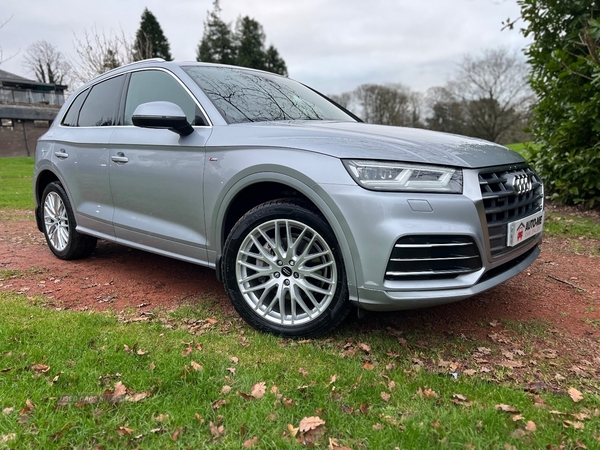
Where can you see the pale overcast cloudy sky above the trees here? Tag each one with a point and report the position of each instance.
(332, 45)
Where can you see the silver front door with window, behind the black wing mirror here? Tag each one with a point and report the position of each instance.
(156, 175)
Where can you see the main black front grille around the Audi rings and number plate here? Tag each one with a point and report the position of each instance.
(502, 205)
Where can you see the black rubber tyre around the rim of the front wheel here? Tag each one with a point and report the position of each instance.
(339, 306)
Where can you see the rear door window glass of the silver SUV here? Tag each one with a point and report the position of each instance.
(102, 104)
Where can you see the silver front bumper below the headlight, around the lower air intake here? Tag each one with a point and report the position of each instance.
(373, 222)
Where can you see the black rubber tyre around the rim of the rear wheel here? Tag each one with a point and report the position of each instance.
(79, 245)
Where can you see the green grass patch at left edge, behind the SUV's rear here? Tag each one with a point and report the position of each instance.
(16, 191)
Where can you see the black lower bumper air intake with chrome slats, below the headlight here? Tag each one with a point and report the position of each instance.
(432, 257)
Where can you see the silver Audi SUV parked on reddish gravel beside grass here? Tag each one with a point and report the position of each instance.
(302, 209)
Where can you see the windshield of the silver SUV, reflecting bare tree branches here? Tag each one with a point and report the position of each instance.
(247, 96)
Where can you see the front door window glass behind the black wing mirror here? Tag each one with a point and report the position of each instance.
(156, 85)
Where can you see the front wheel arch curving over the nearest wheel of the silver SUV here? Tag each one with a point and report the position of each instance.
(262, 187)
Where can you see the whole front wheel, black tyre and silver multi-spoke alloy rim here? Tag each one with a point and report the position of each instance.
(284, 272)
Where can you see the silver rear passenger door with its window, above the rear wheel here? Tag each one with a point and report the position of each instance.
(81, 155)
